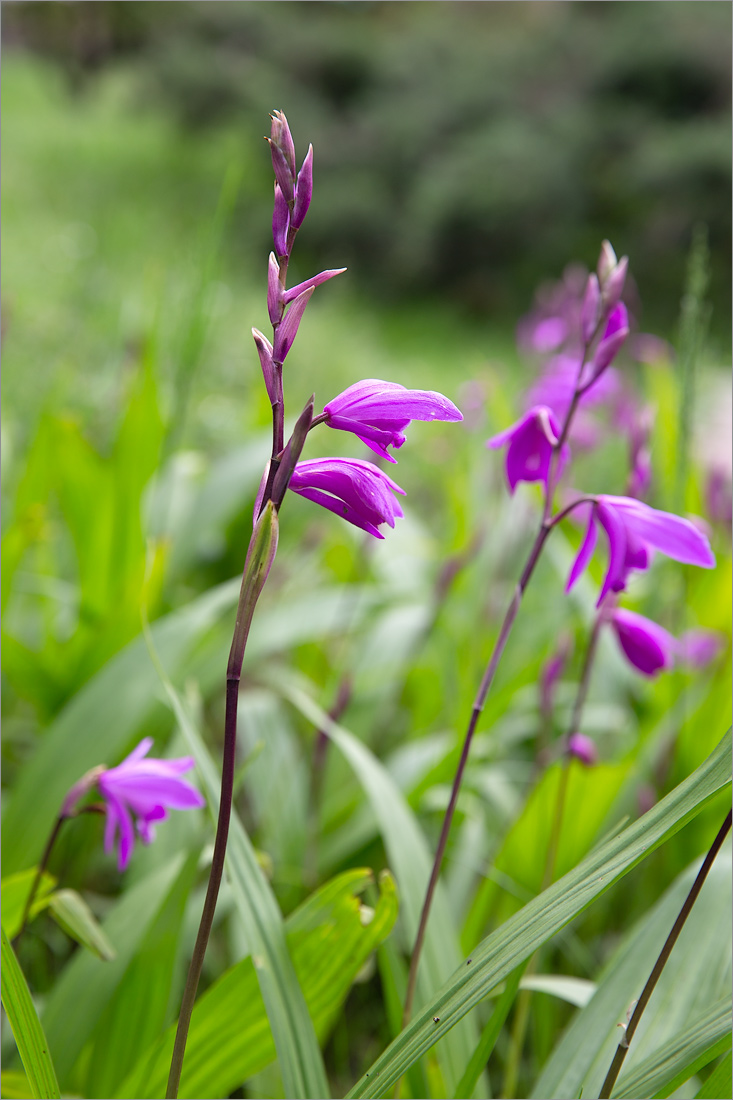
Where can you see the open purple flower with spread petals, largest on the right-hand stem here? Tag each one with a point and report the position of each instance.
(634, 532)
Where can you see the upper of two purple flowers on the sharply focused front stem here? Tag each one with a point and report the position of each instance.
(379, 412)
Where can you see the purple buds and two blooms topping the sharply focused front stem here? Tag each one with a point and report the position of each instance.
(375, 411)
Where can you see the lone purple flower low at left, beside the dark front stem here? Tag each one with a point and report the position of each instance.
(147, 788)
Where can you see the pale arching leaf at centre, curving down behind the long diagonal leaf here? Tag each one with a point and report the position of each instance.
(411, 861)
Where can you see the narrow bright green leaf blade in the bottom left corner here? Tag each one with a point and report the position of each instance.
(27, 1027)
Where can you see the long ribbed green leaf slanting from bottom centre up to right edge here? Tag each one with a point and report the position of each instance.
(519, 938)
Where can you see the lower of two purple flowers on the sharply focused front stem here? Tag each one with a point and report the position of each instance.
(357, 491)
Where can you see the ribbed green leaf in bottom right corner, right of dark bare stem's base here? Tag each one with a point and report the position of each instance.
(666, 1070)
